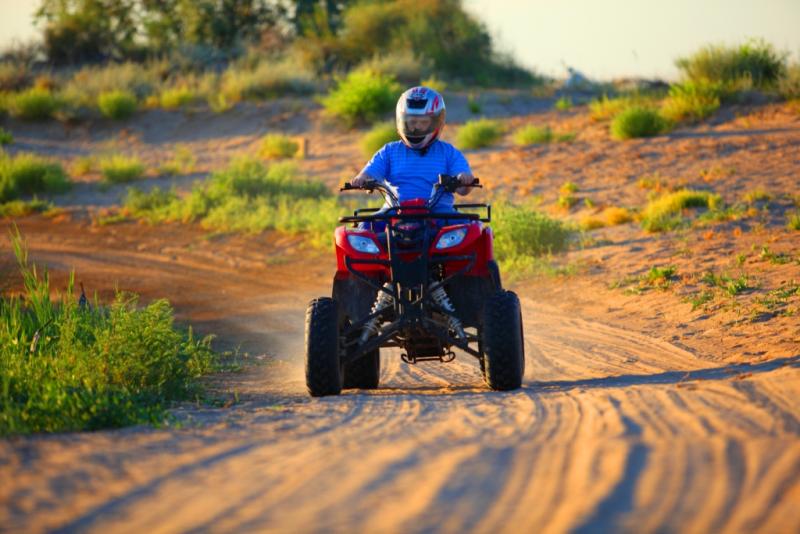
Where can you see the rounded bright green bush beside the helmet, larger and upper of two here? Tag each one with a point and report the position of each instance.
(362, 96)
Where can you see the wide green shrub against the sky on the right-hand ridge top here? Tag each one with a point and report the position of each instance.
(756, 61)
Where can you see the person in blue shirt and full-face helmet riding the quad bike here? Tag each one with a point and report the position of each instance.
(411, 166)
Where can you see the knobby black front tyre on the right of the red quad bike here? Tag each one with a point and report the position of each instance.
(503, 347)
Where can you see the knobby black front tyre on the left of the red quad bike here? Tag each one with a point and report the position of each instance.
(323, 366)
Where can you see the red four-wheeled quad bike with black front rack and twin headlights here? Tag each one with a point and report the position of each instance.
(412, 278)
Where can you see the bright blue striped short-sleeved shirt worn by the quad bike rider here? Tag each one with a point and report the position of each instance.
(412, 174)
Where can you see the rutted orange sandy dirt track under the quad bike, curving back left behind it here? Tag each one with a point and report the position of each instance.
(612, 431)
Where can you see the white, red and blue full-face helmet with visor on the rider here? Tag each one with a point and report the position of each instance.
(420, 117)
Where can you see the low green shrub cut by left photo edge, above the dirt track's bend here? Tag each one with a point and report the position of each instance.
(26, 174)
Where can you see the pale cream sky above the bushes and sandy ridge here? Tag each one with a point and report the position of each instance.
(603, 39)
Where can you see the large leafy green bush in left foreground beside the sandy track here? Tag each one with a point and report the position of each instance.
(66, 366)
